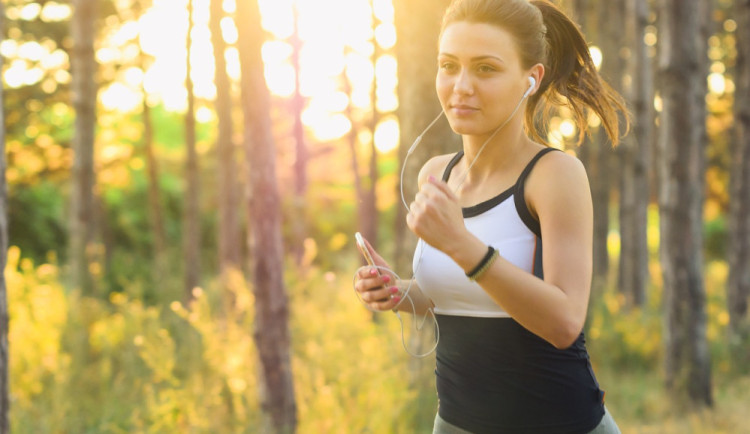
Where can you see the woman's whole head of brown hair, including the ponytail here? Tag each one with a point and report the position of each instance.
(544, 34)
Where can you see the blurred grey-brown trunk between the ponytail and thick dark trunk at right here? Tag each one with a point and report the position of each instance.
(634, 161)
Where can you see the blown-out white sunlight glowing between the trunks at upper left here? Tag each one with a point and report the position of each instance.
(329, 51)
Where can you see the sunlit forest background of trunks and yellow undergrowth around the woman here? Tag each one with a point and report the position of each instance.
(181, 181)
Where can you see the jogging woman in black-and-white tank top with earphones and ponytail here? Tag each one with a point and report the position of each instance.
(505, 226)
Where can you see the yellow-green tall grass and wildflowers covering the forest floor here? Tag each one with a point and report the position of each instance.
(116, 364)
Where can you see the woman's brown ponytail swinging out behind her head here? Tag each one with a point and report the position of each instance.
(571, 79)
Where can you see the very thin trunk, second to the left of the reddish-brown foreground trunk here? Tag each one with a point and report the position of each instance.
(191, 232)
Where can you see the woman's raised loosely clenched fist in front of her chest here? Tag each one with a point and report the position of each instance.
(436, 216)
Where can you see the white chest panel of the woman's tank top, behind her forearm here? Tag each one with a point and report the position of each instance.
(503, 222)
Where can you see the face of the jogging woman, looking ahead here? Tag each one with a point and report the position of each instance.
(480, 79)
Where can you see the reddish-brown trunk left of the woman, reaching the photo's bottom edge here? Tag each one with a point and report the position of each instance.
(272, 312)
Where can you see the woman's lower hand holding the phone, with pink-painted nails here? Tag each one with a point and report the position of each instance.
(376, 287)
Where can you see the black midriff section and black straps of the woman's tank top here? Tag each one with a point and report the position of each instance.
(494, 376)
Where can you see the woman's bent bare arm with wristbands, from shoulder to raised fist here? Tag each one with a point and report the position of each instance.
(558, 193)
